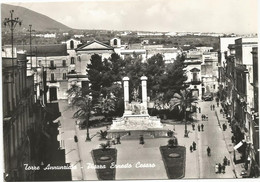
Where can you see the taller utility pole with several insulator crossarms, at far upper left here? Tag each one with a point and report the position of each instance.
(11, 23)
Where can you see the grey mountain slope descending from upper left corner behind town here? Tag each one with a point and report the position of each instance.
(38, 21)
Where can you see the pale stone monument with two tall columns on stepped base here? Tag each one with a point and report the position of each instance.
(136, 121)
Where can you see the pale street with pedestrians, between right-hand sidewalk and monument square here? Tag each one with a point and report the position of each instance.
(212, 136)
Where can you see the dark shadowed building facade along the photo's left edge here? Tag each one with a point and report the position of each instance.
(21, 126)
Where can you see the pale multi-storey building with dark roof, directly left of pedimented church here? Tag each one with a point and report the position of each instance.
(53, 59)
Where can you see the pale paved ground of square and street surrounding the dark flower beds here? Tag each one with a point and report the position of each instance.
(198, 164)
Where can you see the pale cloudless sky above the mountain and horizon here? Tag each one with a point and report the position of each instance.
(221, 16)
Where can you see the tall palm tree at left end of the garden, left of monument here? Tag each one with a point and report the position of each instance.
(83, 105)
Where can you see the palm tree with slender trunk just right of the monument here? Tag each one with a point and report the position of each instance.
(182, 101)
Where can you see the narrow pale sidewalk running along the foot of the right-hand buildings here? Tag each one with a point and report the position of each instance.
(227, 134)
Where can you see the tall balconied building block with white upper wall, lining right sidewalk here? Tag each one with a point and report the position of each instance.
(240, 98)
